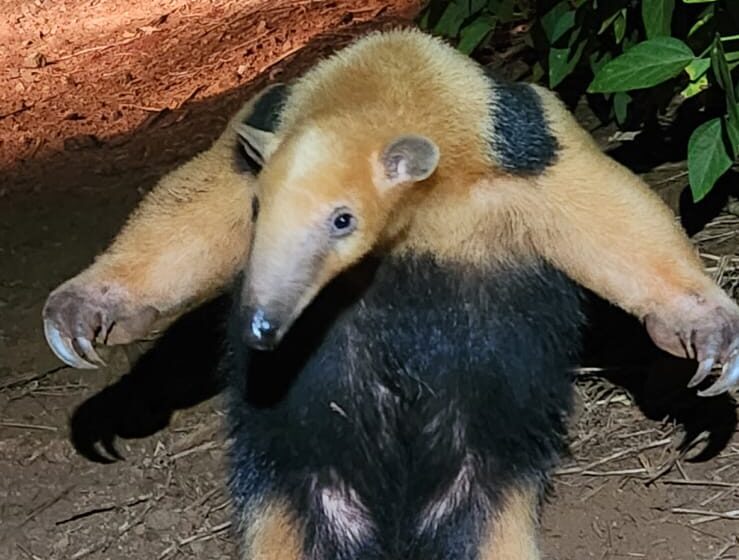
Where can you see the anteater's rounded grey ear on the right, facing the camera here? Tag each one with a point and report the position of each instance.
(408, 159)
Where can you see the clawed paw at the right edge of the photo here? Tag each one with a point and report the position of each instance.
(704, 329)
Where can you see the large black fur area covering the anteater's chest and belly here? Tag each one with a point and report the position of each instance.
(397, 376)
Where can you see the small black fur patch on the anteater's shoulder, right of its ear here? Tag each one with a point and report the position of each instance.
(522, 141)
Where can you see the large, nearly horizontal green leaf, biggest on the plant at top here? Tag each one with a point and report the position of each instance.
(644, 65)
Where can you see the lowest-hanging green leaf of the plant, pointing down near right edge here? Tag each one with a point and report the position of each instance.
(707, 158)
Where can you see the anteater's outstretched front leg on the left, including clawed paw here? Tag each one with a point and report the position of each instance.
(181, 247)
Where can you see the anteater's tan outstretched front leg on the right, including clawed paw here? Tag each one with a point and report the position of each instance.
(602, 225)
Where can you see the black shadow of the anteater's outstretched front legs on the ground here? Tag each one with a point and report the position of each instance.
(181, 370)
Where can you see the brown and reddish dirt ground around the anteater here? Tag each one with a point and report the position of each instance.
(104, 100)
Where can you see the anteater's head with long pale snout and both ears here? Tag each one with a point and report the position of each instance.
(326, 198)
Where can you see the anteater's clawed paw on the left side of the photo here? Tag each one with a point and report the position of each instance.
(78, 316)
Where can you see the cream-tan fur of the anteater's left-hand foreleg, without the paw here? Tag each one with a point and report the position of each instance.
(187, 238)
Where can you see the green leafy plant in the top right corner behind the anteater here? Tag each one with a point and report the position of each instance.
(641, 56)
